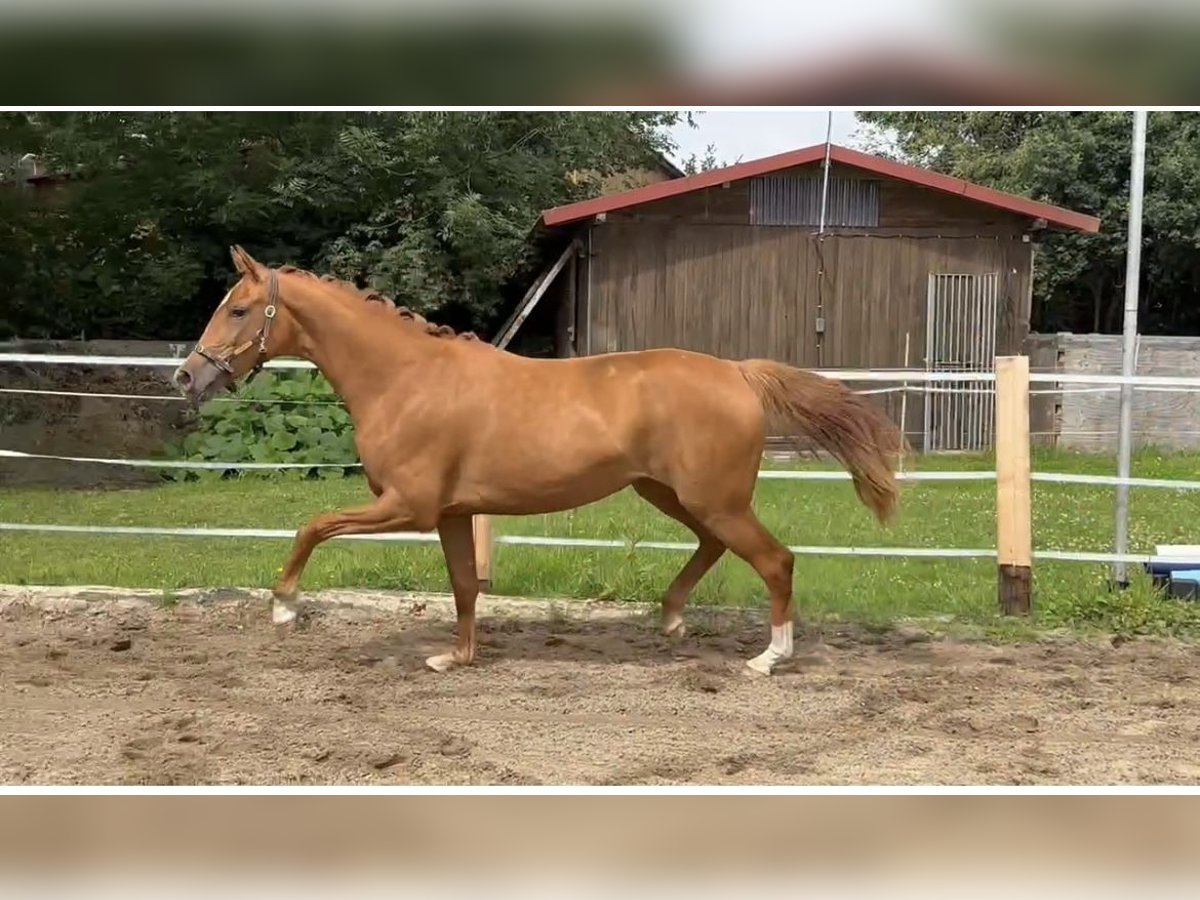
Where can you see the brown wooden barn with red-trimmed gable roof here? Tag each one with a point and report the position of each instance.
(879, 266)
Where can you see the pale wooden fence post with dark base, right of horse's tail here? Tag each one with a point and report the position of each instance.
(1015, 501)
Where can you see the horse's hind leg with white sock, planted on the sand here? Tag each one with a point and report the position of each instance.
(745, 535)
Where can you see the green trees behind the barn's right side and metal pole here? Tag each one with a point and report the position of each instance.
(1082, 161)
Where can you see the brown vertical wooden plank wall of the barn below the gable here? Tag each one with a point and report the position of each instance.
(741, 291)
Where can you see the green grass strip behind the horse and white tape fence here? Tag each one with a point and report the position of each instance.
(801, 513)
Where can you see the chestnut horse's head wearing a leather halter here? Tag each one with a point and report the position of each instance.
(238, 339)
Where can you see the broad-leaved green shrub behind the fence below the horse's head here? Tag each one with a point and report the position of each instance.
(279, 417)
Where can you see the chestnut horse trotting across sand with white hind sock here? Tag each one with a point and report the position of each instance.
(448, 428)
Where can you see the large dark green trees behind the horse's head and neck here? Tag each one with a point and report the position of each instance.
(435, 209)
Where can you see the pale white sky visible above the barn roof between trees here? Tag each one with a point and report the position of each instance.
(741, 136)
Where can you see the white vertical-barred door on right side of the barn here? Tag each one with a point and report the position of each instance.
(961, 337)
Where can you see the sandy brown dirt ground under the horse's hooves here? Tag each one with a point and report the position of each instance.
(134, 692)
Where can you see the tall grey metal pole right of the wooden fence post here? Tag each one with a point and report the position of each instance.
(1130, 345)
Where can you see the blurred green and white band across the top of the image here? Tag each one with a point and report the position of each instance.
(621, 52)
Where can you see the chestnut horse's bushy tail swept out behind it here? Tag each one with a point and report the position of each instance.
(845, 424)
